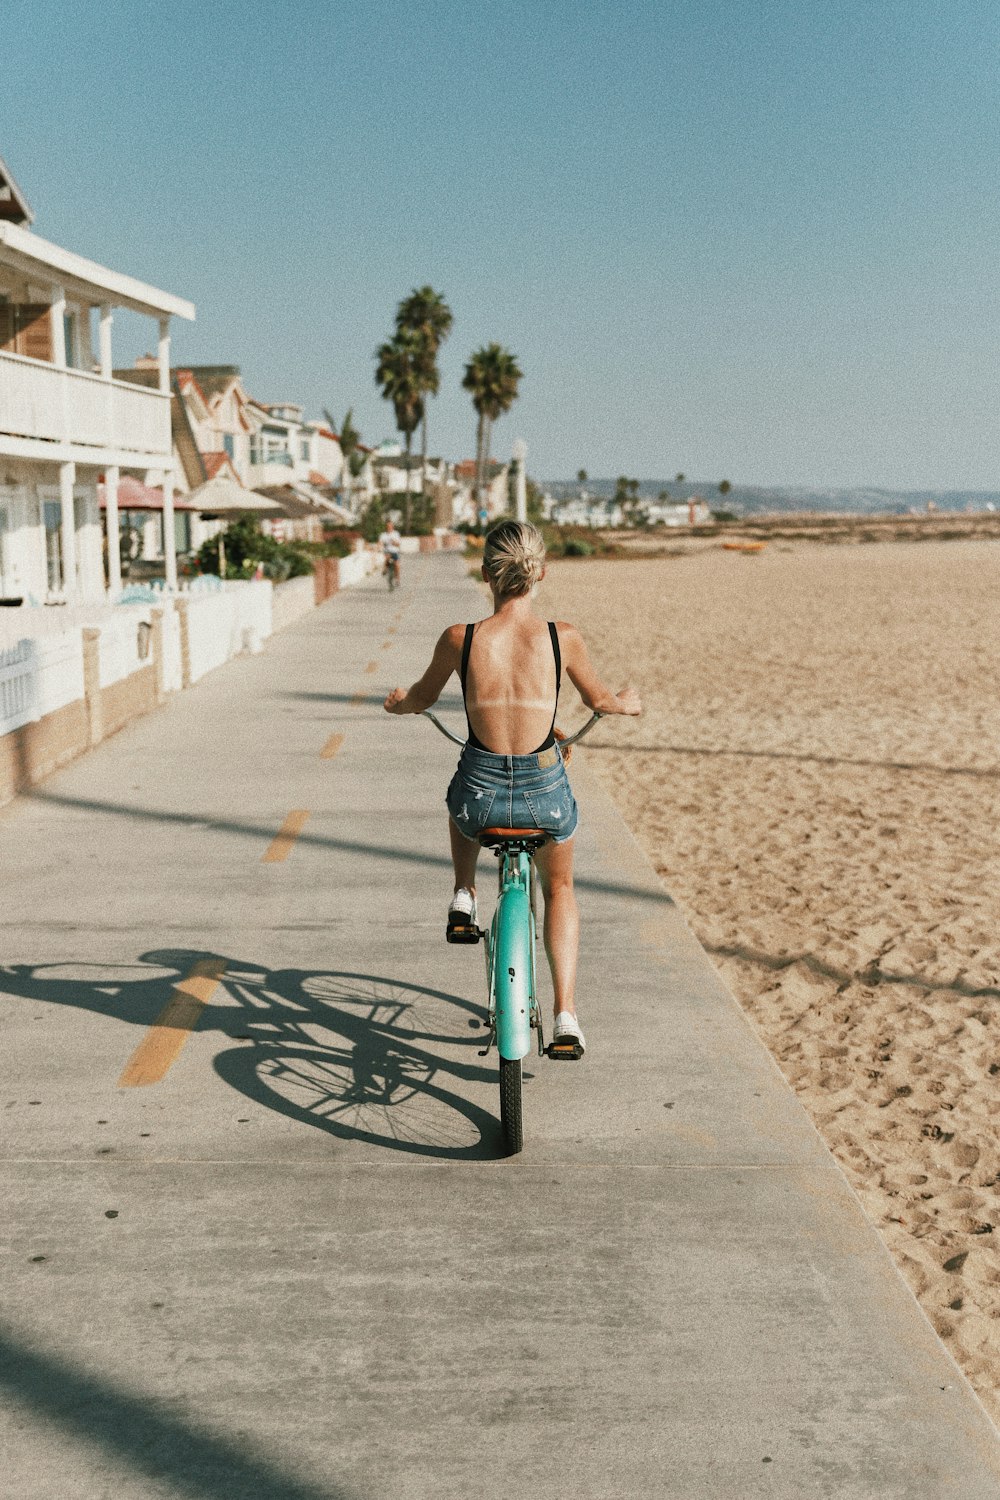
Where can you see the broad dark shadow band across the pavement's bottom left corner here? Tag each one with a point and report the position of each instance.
(143, 1433)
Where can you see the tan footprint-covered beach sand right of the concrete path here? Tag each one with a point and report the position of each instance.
(818, 781)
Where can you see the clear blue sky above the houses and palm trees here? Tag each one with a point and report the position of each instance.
(755, 242)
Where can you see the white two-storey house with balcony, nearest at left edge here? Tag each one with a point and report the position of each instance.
(65, 421)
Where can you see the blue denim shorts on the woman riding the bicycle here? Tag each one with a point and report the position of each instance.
(512, 791)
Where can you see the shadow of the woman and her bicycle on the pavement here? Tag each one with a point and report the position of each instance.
(361, 1057)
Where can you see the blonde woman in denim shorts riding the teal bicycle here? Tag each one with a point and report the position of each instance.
(510, 772)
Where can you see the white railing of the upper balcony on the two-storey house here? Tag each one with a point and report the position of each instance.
(65, 406)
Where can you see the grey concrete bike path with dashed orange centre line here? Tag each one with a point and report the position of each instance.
(278, 1258)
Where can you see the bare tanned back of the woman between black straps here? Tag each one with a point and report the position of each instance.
(510, 686)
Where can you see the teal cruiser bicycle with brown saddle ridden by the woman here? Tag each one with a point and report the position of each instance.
(510, 959)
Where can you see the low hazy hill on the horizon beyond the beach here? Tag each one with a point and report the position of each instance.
(750, 500)
